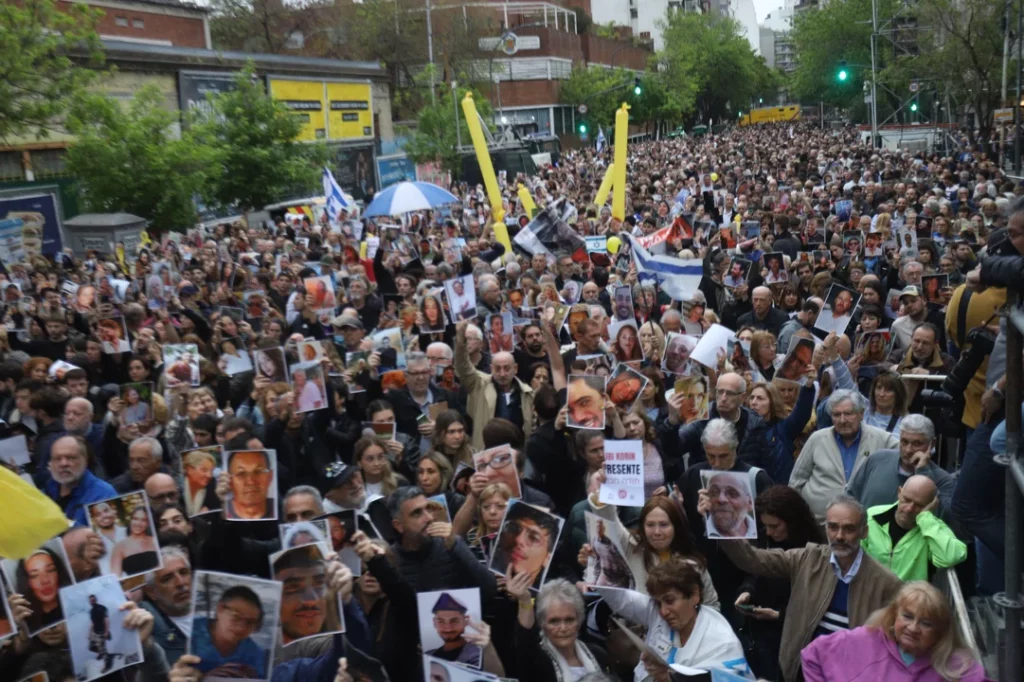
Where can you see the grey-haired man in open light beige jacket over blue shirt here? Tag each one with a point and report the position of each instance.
(832, 456)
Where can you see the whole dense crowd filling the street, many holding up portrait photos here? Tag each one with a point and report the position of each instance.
(359, 449)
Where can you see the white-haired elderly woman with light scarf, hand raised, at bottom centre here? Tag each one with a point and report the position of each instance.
(548, 636)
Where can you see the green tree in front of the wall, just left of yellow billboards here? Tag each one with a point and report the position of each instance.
(254, 142)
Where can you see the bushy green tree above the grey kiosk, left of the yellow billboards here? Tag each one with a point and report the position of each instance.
(129, 158)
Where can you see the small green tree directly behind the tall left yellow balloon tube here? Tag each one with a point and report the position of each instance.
(436, 140)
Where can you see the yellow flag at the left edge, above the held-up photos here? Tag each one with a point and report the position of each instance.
(32, 519)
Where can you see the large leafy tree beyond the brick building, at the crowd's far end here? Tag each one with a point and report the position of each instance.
(709, 68)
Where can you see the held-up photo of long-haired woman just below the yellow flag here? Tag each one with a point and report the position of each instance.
(39, 578)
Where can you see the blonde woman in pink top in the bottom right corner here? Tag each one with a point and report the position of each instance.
(914, 640)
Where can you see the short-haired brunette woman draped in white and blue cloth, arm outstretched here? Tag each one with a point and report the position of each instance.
(679, 629)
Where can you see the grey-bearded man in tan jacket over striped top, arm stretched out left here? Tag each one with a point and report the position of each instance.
(832, 587)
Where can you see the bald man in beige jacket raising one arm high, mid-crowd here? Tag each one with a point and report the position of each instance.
(498, 395)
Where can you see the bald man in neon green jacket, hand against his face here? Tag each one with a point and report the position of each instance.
(908, 538)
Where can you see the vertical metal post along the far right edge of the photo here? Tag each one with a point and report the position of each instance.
(1011, 600)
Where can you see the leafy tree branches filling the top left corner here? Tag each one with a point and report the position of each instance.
(39, 80)
